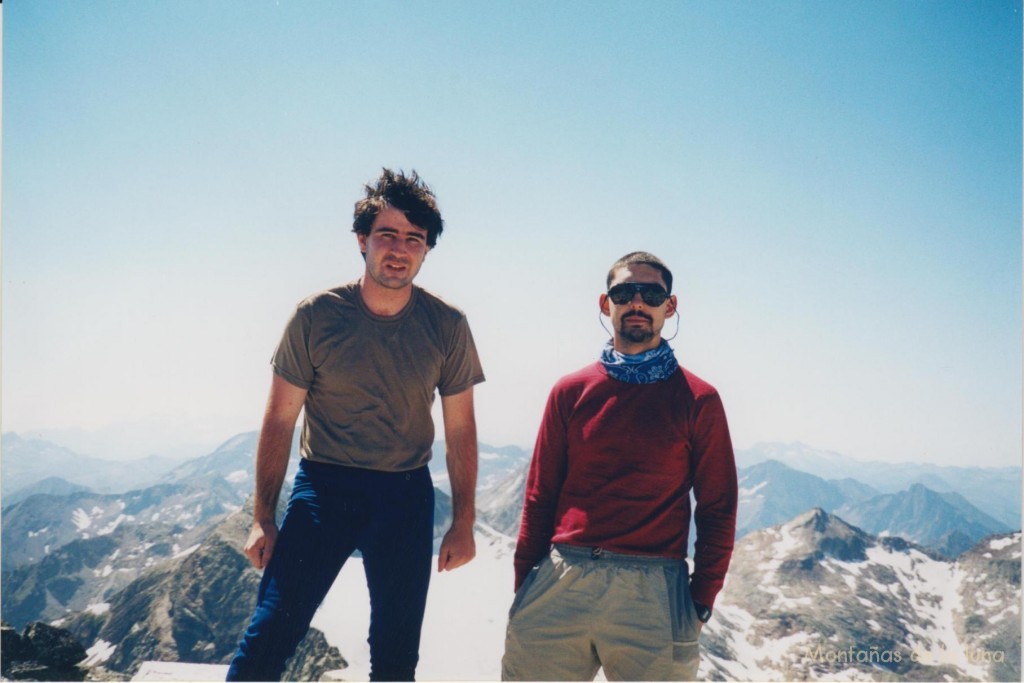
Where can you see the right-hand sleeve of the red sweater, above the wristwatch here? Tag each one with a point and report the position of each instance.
(715, 490)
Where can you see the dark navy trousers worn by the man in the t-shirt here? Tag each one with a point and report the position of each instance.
(333, 511)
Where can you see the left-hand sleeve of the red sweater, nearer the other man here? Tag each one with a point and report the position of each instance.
(544, 483)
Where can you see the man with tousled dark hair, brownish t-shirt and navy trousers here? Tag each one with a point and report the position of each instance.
(365, 361)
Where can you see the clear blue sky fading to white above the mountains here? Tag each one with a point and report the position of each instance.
(836, 186)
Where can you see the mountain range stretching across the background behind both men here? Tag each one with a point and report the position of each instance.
(156, 572)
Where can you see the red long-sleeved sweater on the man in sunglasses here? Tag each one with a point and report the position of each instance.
(614, 466)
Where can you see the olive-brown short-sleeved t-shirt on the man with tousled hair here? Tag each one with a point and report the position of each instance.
(371, 380)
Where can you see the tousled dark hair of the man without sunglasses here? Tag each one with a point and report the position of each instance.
(407, 194)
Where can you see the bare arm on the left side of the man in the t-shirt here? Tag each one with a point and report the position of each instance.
(283, 408)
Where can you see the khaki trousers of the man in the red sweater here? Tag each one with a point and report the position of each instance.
(581, 610)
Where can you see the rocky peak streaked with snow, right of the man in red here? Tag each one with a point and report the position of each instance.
(817, 599)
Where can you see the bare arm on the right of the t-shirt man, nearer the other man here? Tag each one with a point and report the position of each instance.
(458, 547)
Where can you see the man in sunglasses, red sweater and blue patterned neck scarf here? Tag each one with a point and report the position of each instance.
(601, 574)
